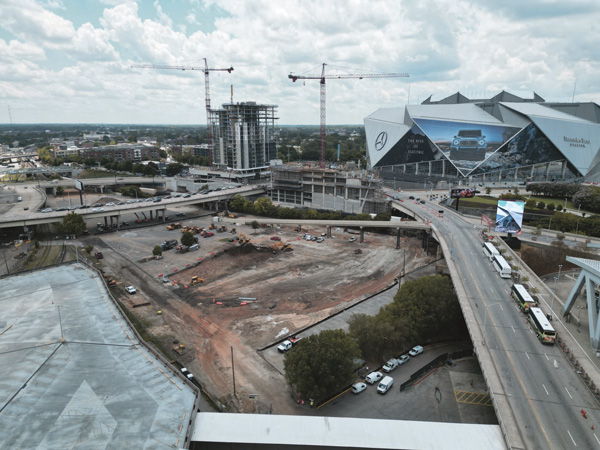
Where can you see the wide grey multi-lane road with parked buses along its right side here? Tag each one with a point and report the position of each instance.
(544, 392)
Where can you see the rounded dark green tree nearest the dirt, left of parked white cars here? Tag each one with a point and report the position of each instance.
(321, 364)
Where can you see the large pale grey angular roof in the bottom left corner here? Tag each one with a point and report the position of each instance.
(74, 375)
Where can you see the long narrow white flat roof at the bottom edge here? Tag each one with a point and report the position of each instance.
(281, 432)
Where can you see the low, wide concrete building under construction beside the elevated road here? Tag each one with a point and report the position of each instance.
(352, 192)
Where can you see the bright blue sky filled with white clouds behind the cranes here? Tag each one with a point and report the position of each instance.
(69, 61)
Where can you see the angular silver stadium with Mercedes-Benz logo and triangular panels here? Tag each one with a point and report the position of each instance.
(503, 138)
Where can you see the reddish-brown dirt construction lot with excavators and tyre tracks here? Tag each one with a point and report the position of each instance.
(253, 295)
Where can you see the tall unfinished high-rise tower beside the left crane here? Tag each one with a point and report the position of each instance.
(243, 137)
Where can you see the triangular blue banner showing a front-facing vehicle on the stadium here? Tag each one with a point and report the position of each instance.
(466, 145)
